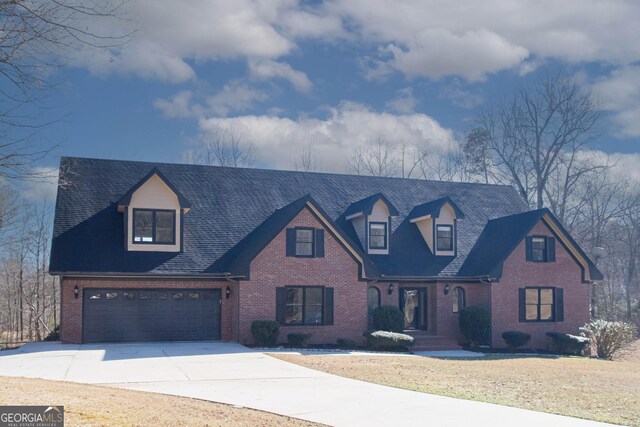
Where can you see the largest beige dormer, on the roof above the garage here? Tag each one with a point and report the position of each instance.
(153, 210)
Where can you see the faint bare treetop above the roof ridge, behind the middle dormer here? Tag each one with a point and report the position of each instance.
(377, 158)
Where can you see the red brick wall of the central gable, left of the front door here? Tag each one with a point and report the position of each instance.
(272, 269)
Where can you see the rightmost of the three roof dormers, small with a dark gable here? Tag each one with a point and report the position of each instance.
(437, 222)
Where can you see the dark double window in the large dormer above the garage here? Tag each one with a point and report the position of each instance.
(154, 226)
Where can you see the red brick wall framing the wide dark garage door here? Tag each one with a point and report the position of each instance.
(71, 313)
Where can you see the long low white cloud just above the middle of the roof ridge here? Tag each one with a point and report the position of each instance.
(333, 138)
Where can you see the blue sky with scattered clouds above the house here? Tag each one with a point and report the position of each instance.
(286, 73)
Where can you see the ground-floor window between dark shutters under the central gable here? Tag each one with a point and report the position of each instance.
(304, 306)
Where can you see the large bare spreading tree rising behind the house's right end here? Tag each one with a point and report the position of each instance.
(539, 128)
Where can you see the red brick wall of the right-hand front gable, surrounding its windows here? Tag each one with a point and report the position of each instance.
(518, 273)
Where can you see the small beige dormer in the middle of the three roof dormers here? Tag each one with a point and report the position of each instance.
(371, 218)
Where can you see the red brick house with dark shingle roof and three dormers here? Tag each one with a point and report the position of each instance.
(150, 251)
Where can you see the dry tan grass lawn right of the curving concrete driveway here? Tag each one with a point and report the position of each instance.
(579, 387)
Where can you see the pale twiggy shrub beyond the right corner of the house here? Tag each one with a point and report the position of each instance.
(608, 337)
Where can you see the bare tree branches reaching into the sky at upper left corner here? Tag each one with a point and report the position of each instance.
(34, 39)
